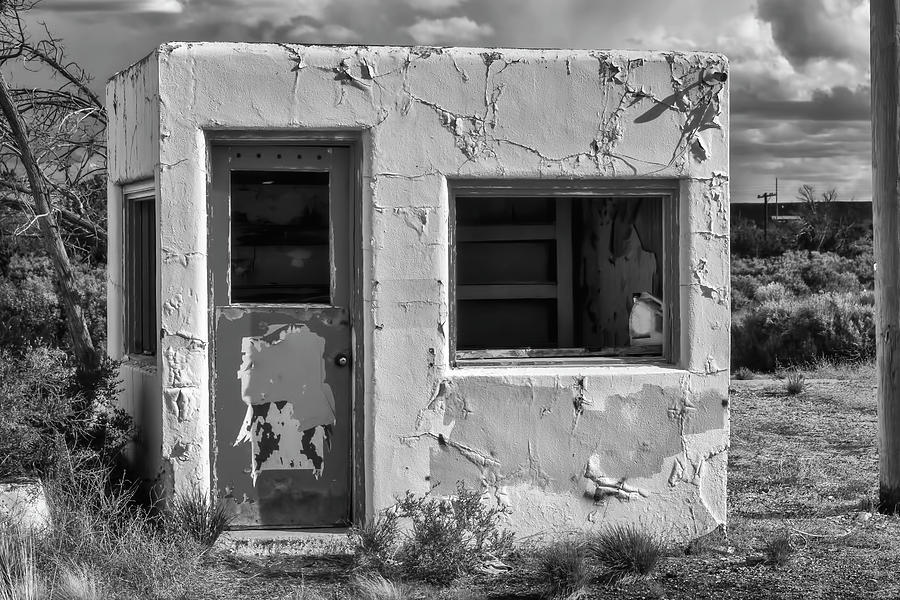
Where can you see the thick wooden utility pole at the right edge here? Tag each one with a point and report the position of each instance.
(885, 57)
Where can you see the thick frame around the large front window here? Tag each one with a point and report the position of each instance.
(667, 190)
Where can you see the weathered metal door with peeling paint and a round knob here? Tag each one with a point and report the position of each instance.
(280, 229)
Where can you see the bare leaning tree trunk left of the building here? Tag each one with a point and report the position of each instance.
(85, 353)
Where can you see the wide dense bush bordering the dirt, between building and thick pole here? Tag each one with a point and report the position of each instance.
(800, 331)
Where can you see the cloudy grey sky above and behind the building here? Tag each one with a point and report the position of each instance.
(800, 68)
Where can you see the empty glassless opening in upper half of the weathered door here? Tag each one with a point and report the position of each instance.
(280, 237)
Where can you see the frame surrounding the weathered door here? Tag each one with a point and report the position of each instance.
(352, 139)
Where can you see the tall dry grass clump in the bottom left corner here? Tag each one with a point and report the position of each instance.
(100, 544)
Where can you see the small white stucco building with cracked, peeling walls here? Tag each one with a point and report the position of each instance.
(337, 273)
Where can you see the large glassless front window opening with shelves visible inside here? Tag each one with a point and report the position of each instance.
(559, 275)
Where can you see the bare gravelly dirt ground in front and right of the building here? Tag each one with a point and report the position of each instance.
(802, 467)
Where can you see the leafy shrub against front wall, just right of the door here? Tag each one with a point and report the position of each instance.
(449, 537)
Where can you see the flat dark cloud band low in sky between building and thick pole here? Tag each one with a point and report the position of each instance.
(840, 103)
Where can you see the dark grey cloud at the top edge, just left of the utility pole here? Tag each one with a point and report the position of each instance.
(805, 30)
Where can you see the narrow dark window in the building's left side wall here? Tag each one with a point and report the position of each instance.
(140, 269)
